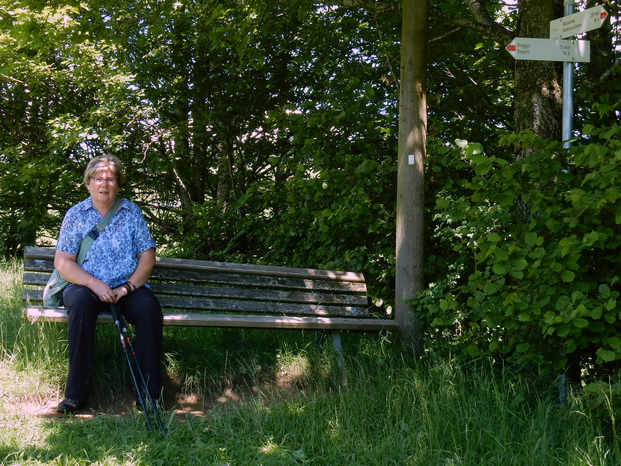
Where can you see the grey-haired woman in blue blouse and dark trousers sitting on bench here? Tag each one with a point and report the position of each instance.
(114, 271)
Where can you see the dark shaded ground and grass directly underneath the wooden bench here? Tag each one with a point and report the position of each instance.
(206, 367)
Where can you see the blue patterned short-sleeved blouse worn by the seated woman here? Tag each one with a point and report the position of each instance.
(112, 256)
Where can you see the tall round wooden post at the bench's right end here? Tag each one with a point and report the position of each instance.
(410, 178)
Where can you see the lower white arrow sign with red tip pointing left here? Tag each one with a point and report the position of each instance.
(529, 48)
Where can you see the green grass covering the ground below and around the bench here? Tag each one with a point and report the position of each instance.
(276, 398)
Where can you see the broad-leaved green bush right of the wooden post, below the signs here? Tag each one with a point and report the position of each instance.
(538, 240)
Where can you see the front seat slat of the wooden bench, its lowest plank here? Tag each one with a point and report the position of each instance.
(35, 314)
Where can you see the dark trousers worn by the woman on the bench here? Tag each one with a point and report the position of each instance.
(140, 308)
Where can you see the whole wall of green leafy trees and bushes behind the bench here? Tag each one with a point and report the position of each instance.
(266, 131)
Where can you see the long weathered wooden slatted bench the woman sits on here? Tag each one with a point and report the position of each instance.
(222, 294)
